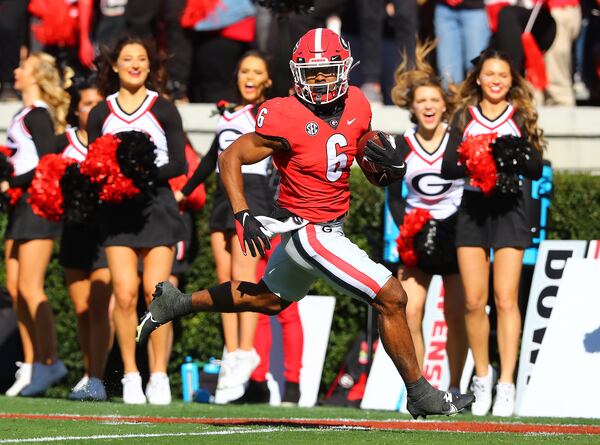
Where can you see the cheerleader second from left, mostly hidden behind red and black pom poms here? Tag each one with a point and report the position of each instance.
(83, 259)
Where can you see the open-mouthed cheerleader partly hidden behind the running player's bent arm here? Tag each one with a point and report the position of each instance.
(253, 81)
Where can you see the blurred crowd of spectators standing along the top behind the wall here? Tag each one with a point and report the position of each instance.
(202, 40)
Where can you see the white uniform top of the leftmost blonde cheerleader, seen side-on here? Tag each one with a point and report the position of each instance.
(20, 140)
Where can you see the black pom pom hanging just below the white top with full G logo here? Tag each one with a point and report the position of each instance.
(434, 244)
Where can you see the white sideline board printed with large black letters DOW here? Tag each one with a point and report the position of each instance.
(547, 278)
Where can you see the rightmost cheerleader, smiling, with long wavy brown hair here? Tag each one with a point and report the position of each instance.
(496, 99)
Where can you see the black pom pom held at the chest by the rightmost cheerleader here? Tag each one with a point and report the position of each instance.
(510, 153)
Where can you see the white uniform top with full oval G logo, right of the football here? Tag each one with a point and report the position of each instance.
(426, 187)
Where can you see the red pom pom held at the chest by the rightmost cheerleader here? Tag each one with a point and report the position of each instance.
(476, 154)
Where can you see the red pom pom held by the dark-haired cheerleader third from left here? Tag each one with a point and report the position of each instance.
(102, 167)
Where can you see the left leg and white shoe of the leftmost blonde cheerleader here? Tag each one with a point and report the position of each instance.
(24, 320)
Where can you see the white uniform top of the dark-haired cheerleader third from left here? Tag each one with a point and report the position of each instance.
(141, 120)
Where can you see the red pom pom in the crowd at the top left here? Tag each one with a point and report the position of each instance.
(58, 22)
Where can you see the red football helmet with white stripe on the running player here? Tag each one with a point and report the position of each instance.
(321, 50)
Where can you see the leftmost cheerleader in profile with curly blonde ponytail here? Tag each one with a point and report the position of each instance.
(29, 238)
